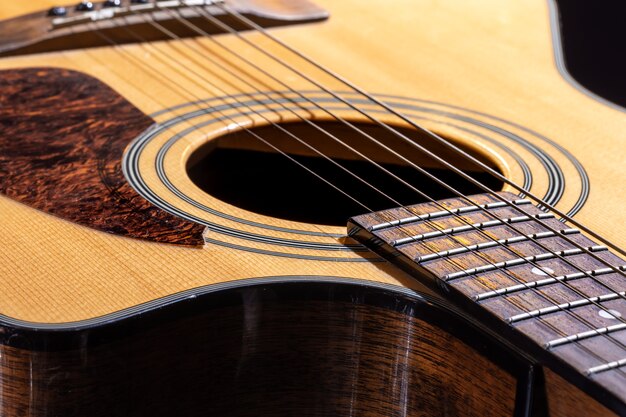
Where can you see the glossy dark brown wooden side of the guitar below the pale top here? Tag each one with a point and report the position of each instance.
(281, 349)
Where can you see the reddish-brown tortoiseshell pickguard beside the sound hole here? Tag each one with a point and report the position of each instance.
(62, 137)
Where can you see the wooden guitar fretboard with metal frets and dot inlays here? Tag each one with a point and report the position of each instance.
(547, 280)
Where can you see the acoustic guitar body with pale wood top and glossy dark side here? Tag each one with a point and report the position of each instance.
(129, 289)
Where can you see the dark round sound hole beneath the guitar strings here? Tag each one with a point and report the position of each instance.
(241, 170)
